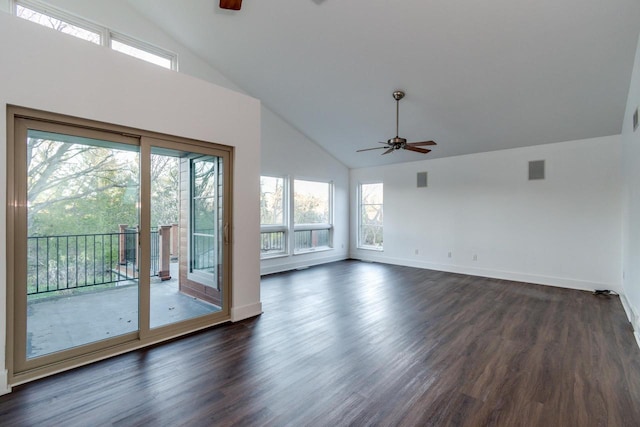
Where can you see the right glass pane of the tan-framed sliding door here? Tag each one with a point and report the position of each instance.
(184, 252)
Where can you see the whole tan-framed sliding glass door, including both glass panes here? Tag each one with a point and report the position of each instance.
(119, 240)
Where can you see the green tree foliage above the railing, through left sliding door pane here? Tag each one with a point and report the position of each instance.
(79, 189)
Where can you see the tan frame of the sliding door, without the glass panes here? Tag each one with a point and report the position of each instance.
(21, 369)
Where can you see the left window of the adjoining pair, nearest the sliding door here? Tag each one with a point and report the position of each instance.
(273, 226)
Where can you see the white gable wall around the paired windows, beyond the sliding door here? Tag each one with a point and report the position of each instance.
(289, 153)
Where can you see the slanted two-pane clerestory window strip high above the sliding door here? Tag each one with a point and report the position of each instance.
(43, 14)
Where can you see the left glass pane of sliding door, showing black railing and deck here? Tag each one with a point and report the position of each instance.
(82, 280)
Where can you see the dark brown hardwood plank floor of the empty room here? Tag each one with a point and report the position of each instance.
(354, 343)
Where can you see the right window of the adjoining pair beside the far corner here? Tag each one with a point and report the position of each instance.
(312, 215)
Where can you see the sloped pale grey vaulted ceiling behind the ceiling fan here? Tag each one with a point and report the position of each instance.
(479, 76)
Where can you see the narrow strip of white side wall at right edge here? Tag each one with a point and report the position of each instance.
(631, 203)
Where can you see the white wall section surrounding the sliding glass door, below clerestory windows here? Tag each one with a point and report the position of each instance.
(51, 71)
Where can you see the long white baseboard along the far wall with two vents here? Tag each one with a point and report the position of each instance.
(560, 282)
